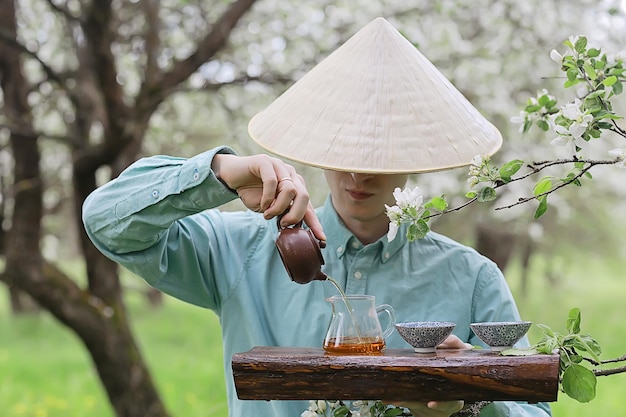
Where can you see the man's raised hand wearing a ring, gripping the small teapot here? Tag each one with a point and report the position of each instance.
(270, 186)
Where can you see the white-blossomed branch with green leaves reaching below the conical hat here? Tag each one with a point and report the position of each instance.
(598, 77)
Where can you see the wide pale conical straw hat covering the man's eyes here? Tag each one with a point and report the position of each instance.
(375, 105)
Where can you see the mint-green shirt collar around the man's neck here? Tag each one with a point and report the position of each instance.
(339, 237)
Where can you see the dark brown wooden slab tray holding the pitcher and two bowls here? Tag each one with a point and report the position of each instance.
(282, 373)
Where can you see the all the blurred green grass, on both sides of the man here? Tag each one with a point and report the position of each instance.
(45, 371)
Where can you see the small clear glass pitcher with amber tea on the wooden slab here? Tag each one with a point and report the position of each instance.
(354, 326)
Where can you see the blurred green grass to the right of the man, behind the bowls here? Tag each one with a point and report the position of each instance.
(597, 286)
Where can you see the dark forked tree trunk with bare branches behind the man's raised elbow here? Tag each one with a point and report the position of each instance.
(97, 315)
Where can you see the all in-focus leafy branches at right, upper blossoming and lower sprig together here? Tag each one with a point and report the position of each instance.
(588, 116)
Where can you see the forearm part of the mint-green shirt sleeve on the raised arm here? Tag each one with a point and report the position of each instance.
(130, 212)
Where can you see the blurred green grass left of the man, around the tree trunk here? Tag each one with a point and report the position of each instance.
(45, 371)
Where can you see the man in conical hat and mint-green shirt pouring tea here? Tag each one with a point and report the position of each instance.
(158, 218)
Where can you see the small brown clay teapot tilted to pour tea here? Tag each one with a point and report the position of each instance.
(300, 252)
